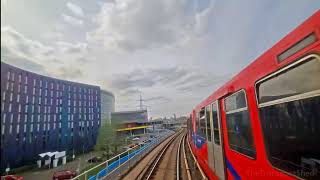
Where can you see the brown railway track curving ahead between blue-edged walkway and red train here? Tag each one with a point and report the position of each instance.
(164, 162)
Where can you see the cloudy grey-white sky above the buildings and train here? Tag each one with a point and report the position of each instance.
(176, 52)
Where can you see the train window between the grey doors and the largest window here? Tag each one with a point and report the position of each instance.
(239, 125)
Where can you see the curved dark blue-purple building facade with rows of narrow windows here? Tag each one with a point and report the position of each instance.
(41, 114)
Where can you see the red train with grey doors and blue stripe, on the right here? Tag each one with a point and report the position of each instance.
(265, 122)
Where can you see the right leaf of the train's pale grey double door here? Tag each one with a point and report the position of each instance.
(219, 163)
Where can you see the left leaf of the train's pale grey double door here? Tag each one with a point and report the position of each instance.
(209, 138)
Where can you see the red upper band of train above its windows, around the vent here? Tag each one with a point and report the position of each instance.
(269, 59)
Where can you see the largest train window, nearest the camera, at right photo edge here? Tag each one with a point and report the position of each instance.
(289, 107)
